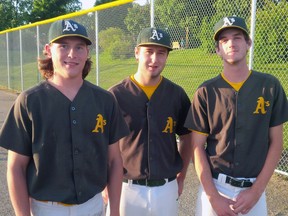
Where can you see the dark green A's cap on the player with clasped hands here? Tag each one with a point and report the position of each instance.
(230, 22)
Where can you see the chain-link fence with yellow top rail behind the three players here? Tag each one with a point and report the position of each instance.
(190, 24)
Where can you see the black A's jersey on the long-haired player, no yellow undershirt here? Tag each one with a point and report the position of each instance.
(67, 141)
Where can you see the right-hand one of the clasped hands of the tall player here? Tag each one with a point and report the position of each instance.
(245, 201)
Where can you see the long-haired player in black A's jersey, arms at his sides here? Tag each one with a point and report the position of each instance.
(62, 135)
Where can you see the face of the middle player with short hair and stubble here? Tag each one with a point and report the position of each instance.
(151, 60)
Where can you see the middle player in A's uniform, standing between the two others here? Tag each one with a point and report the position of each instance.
(155, 110)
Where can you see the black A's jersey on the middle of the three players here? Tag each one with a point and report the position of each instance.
(150, 151)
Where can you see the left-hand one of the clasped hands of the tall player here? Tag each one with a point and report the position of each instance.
(223, 206)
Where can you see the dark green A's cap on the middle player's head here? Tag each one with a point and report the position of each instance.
(154, 36)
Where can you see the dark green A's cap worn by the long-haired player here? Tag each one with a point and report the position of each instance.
(67, 28)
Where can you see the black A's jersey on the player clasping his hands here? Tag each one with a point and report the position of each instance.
(237, 123)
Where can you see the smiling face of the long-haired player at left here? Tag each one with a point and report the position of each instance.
(69, 56)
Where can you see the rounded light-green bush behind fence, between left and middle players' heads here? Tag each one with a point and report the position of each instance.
(115, 42)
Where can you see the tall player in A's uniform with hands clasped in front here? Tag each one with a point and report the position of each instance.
(237, 122)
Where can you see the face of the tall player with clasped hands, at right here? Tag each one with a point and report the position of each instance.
(232, 46)
